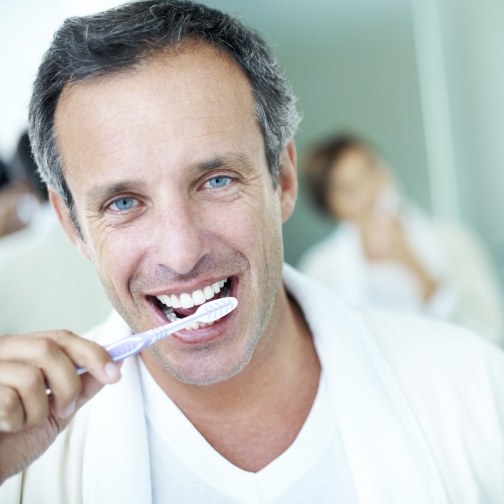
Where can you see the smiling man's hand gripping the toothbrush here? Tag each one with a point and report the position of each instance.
(30, 418)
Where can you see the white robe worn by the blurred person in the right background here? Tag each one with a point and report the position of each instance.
(468, 290)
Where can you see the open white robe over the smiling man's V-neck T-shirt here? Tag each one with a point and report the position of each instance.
(420, 409)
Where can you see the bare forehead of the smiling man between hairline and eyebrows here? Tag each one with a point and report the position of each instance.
(196, 95)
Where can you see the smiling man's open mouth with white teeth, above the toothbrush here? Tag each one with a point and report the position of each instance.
(176, 307)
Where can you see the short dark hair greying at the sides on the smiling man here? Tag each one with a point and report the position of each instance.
(120, 38)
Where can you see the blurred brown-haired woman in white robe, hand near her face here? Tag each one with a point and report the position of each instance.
(386, 252)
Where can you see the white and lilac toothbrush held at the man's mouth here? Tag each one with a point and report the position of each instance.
(131, 345)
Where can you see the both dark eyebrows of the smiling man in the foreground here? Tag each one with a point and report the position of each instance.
(98, 194)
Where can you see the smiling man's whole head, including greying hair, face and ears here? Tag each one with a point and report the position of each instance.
(170, 175)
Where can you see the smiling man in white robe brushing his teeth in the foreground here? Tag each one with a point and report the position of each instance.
(164, 131)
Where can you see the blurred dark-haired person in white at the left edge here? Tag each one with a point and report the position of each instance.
(36, 256)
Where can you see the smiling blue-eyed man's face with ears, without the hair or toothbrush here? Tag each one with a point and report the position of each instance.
(167, 169)
